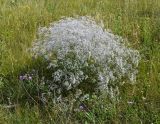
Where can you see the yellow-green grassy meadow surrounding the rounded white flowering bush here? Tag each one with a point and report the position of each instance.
(136, 20)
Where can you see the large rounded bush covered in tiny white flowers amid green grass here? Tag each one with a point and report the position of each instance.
(81, 54)
